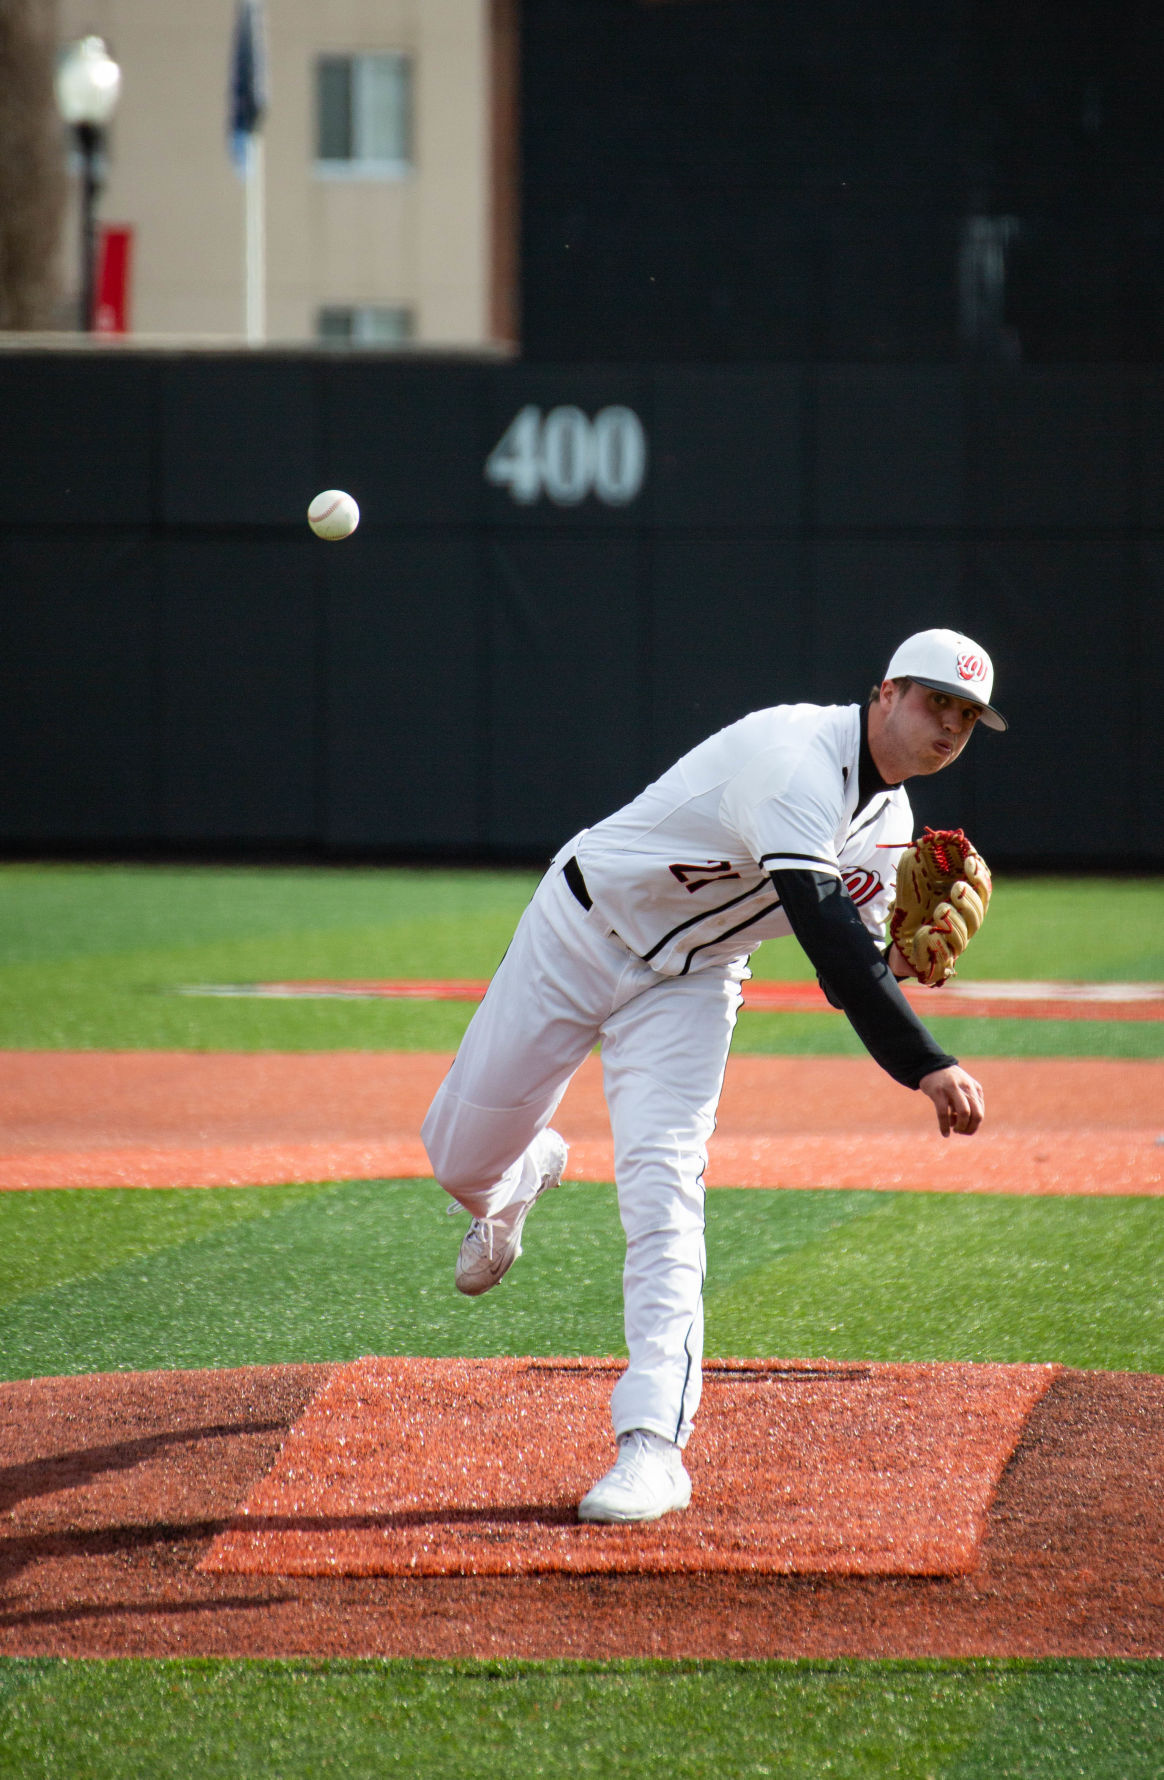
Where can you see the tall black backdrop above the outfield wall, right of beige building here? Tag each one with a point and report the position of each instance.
(843, 182)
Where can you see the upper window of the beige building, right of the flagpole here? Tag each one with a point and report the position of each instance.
(364, 117)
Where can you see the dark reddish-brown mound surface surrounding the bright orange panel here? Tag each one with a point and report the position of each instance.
(113, 1489)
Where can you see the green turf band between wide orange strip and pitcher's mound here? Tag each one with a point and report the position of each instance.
(335, 1272)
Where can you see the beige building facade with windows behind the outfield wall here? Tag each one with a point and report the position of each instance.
(380, 161)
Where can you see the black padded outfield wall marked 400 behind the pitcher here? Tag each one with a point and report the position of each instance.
(503, 654)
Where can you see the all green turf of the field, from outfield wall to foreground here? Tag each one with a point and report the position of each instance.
(175, 1279)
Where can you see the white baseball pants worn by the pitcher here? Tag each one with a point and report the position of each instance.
(565, 985)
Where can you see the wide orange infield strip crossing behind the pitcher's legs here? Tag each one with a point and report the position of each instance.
(190, 1119)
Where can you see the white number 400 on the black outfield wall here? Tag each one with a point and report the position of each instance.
(569, 457)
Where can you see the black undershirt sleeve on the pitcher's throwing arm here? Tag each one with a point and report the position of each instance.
(855, 976)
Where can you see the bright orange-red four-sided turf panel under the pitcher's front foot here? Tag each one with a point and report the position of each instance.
(474, 1468)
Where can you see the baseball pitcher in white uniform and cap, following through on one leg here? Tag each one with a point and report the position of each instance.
(793, 820)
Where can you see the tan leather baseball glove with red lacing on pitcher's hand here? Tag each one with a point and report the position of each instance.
(939, 903)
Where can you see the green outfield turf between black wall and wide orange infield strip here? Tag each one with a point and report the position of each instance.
(93, 959)
